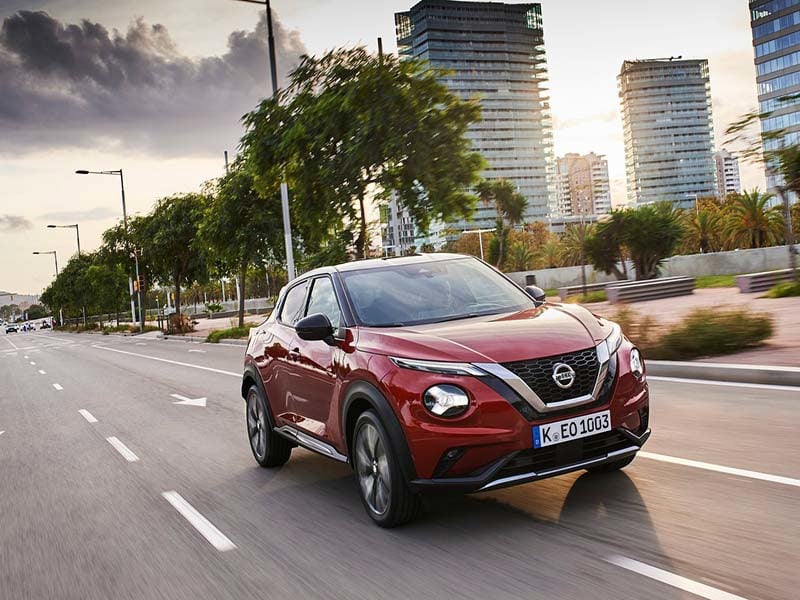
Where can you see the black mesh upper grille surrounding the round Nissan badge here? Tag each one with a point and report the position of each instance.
(538, 374)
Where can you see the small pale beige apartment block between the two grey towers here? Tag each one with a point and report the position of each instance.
(582, 185)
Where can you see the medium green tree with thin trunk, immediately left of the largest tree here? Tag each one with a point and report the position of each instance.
(240, 227)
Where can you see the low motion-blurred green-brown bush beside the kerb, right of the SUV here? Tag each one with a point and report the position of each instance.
(703, 332)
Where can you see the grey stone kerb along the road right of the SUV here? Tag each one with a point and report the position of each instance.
(759, 374)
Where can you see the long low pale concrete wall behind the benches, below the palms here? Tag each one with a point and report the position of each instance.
(694, 265)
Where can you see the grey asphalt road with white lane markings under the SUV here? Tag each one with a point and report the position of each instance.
(136, 496)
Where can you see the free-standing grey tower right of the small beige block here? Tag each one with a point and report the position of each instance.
(669, 133)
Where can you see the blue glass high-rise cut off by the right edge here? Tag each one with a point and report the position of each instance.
(776, 46)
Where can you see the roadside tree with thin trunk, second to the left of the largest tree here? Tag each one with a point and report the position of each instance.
(170, 241)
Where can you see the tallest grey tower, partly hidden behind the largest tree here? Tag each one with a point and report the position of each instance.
(495, 52)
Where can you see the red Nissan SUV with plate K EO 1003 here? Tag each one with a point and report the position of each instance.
(434, 372)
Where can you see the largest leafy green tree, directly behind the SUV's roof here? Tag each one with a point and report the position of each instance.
(352, 127)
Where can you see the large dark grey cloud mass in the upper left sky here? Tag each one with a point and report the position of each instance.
(81, 85)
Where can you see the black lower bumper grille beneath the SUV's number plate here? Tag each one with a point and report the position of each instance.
(560, 455)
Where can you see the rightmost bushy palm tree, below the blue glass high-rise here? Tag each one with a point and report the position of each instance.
(752, 223)
